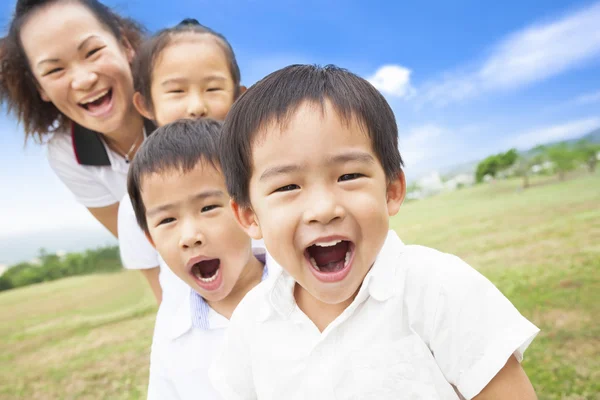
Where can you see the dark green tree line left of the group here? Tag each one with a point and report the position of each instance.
(51, 267)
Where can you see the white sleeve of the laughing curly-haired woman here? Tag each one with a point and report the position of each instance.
(78, 179)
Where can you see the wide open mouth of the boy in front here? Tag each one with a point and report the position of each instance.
(330, 258)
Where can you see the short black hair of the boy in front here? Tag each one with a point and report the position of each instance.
(275, 99)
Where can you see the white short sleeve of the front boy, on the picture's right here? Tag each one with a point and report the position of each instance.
(475, 328)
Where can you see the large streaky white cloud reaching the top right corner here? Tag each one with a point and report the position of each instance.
(533, 54)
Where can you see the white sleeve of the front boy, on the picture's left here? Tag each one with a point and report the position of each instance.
(231, 371)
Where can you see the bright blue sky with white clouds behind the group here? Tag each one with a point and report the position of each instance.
(465, 78)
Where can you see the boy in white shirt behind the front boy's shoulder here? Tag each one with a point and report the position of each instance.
(178, 193)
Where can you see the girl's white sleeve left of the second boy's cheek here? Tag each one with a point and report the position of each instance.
(136, 250)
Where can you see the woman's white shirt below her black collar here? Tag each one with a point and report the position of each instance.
(92, 186)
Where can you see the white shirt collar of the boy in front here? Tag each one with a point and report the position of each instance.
(380, 282)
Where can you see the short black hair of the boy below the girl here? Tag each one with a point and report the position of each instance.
(179, 145)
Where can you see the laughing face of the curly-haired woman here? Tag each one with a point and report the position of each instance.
(80, 66)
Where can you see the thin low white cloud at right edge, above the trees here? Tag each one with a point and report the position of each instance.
(542, 135)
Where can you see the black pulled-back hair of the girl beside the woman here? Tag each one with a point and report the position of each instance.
(150, 50)
